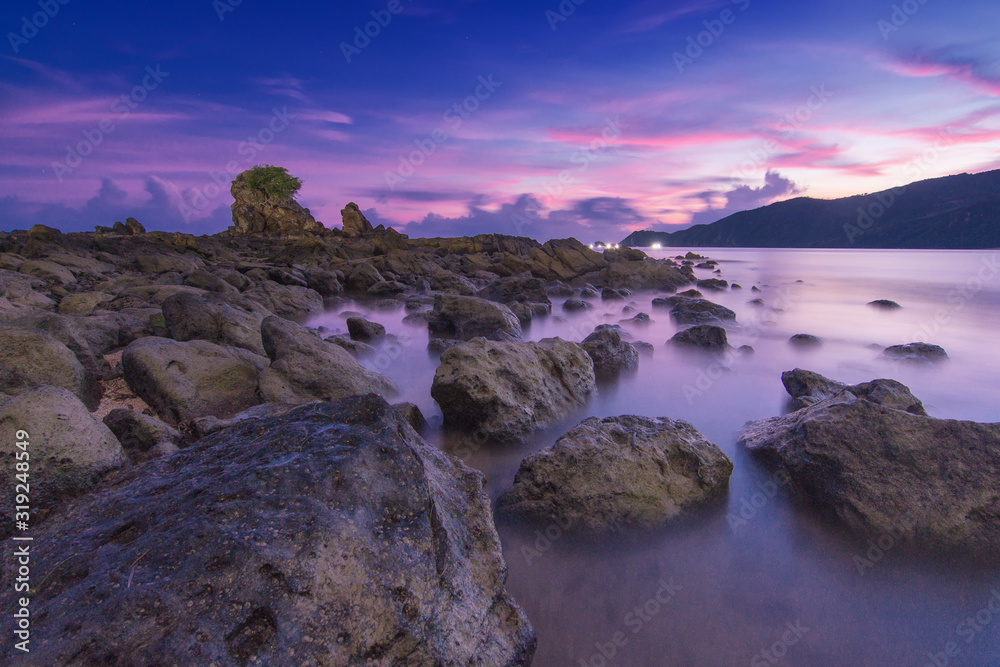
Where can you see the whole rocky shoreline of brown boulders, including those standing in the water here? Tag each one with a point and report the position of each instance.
(217, 483)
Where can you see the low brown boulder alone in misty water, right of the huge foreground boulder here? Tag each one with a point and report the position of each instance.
(617, 474)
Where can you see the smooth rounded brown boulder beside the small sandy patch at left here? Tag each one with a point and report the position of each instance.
(185, 380)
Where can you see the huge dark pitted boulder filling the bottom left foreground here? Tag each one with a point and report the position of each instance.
(331, 535)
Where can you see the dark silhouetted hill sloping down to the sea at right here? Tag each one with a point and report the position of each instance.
(961, 211)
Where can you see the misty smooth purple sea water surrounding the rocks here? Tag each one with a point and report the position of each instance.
(757, 581)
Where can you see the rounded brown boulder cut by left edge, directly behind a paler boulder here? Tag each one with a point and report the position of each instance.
(33, 358)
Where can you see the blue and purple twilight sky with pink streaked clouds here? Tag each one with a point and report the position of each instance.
(549, 119)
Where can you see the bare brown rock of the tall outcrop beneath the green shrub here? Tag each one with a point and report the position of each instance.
(255, 213)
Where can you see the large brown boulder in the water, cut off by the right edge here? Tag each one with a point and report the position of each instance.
(886, 471)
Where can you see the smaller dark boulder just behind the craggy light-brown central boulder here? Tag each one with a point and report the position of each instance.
(466, 317)
